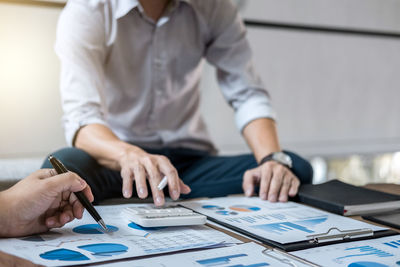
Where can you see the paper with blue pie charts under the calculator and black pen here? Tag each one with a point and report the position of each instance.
(83, 241)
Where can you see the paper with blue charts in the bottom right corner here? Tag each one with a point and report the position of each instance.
(379, 252)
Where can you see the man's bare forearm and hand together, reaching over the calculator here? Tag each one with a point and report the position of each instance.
(134, 163)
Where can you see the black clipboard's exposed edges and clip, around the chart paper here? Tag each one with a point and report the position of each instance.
(333, 236)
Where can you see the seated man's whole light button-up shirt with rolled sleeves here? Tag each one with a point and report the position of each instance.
(141, 78)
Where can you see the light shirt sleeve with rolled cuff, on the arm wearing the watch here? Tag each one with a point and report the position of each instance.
(229, 51)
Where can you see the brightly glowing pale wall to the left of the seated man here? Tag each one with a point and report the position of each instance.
(29, 71)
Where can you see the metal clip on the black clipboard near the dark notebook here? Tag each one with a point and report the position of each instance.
(335, 234)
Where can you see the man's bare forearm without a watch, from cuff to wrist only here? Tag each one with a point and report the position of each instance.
(101, 143)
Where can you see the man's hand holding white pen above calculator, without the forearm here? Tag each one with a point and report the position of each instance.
(138, 165)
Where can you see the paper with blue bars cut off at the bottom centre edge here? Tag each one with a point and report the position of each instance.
(249, 254)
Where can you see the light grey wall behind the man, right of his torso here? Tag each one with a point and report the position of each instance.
(335, 94)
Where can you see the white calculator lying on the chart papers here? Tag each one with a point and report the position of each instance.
(148, 216)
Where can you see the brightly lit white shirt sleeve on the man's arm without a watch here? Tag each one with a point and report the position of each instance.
(80, 46)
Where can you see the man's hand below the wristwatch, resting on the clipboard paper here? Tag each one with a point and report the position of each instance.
(275, 180)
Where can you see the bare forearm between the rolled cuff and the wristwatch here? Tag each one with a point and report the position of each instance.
(262, 137)
